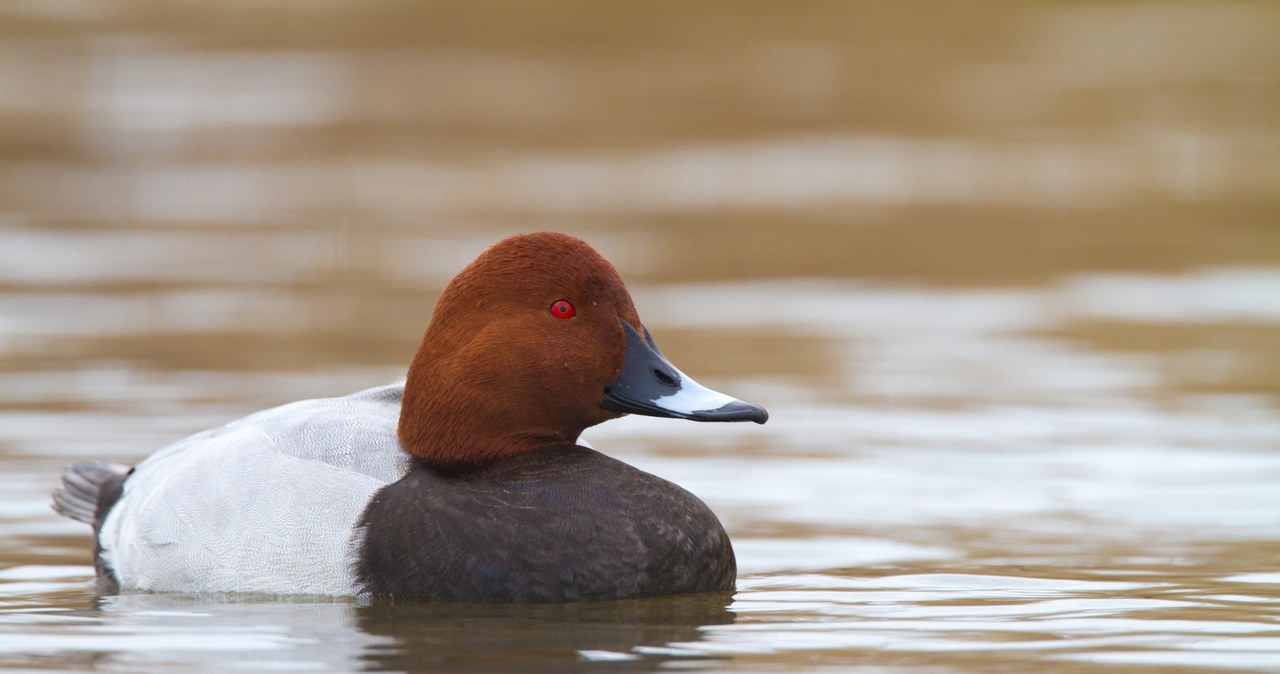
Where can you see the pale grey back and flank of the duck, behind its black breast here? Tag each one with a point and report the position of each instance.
(268, 503)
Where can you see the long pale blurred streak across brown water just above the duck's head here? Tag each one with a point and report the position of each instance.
(781, 173)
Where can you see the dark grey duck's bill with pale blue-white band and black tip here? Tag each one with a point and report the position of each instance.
(651, 386)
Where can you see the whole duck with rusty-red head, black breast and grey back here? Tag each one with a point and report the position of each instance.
(467, 482)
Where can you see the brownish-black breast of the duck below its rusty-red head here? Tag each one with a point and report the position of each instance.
(514, 531)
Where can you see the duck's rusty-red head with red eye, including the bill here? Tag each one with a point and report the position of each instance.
(532, 343)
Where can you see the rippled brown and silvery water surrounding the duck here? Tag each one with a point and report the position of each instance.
(1007, 277)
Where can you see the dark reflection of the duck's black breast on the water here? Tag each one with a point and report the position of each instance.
(538, 638)
